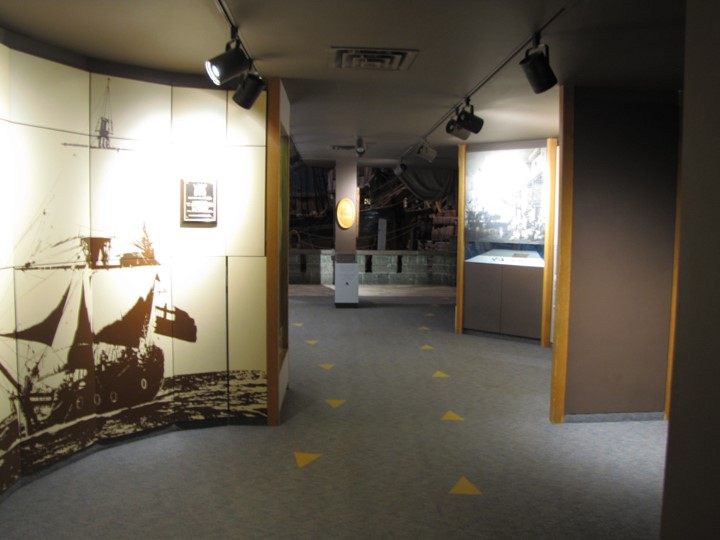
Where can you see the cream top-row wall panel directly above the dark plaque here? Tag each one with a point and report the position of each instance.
(199, 117)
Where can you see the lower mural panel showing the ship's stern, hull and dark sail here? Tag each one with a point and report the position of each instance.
(133, 330)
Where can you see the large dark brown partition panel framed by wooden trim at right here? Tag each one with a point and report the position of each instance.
(625, 175)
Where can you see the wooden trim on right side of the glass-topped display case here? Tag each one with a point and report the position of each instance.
(549, 271)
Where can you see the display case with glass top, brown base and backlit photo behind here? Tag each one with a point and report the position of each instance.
(506, 209)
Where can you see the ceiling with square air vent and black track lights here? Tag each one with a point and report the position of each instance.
(609, 43)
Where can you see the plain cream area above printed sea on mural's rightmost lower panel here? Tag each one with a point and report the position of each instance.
(247, 309)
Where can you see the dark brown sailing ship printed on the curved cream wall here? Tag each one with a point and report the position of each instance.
(94, 371)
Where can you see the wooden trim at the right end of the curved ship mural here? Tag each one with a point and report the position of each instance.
(272, 249)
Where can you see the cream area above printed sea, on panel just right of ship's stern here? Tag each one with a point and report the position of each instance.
(198, 287)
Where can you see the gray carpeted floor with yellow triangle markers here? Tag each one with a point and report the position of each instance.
(386, 461)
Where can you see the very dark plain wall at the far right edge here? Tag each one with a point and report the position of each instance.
(692, 474)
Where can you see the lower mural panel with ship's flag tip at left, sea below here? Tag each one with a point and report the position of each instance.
(201, 382)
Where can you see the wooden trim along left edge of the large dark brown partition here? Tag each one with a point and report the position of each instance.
(562, 298)
